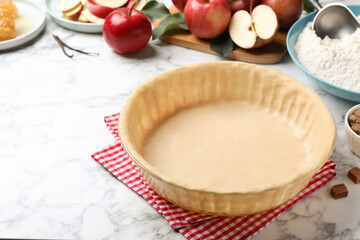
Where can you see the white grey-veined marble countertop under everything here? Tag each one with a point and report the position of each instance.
(51, 121)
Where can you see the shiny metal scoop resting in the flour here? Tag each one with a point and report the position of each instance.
(334, 20)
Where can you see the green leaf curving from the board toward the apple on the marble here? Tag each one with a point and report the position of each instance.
(176, 20)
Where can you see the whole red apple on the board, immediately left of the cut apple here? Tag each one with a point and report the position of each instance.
(207, 19)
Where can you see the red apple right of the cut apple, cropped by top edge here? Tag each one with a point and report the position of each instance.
(287, 11)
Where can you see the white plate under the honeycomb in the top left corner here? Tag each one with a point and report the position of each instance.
(34, 17)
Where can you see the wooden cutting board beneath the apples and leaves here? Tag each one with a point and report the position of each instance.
(272, 53)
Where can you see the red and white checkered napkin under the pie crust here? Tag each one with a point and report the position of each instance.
(194, 225)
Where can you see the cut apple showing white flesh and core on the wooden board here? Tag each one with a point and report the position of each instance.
(254, 30)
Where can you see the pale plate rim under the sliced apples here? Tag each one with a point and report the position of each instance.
(52, 5)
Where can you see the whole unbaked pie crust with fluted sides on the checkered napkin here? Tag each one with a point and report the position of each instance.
(226, 138)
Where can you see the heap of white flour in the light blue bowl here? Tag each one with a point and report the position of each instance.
(332, 60)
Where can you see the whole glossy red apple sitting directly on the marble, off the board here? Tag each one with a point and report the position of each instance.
(127, 30)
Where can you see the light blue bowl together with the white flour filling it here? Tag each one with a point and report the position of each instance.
(334, 64)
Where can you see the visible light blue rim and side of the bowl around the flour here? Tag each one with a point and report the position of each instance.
(291, 40)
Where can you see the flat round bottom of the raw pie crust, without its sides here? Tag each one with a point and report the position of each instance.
(227, 146)
